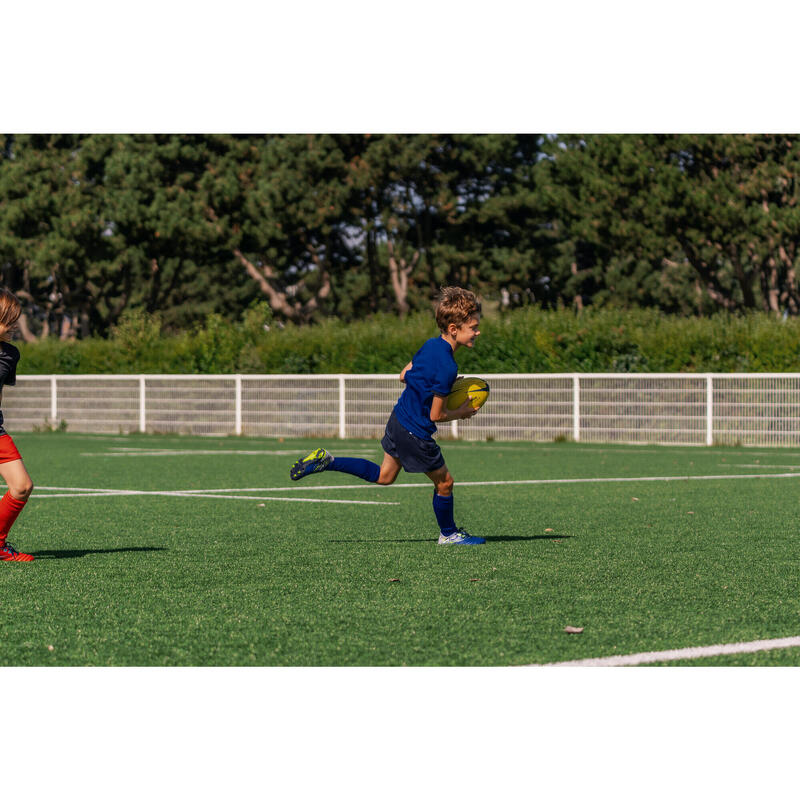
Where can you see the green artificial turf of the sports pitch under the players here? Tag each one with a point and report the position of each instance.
(171, 580)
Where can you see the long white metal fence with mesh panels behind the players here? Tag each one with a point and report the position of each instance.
(725, 408)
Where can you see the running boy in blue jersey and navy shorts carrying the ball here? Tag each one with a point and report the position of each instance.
(408, 442)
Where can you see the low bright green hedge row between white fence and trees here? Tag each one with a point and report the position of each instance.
(527, 340)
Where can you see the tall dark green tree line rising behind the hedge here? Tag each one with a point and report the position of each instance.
(347, 225)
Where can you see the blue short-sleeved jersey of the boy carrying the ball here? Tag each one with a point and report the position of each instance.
(433, 370)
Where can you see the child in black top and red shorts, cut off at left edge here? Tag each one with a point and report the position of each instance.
(12, 470)
